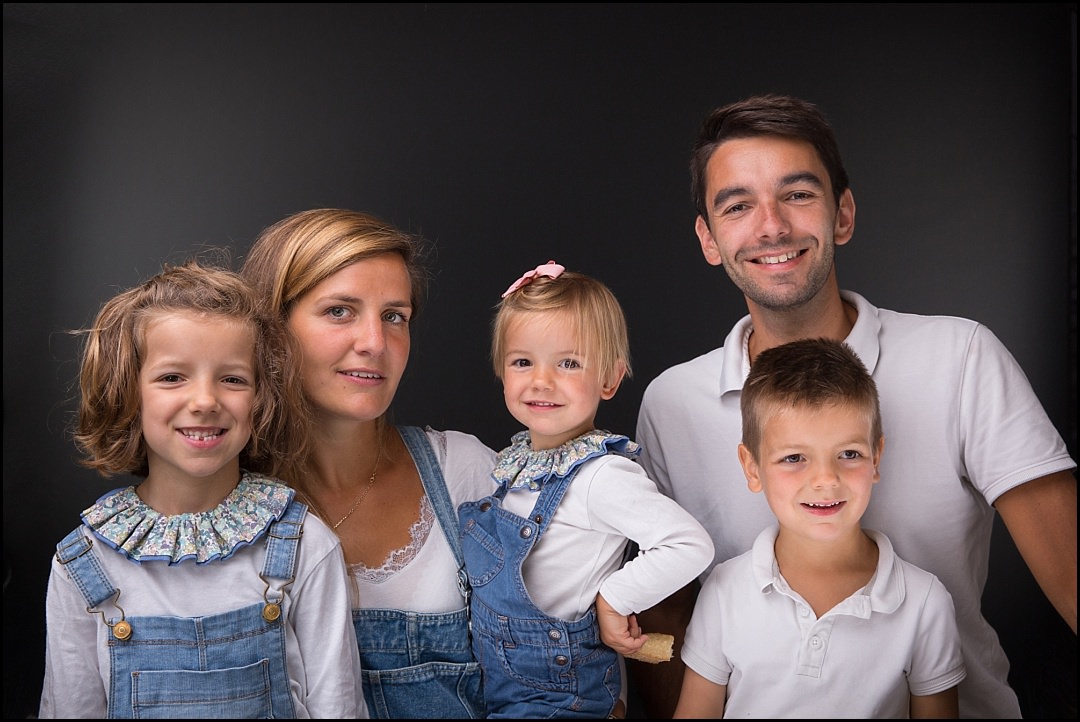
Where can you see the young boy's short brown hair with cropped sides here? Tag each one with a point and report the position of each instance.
(809, 374)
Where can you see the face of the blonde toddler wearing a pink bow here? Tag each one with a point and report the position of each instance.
(547, 383)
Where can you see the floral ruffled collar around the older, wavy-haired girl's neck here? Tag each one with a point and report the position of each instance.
(124, 522)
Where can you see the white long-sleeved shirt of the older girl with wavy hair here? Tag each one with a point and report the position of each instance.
(321, 655)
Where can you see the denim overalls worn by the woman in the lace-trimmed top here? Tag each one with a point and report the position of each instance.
(420, 665)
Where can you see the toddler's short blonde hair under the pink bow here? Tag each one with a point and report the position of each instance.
(593, 312)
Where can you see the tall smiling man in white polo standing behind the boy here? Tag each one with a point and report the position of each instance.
(966, 433)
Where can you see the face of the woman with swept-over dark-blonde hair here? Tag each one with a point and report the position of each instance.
(354, 330)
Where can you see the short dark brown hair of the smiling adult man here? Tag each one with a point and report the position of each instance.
(763, 116)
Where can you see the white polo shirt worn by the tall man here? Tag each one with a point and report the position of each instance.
(962, 424)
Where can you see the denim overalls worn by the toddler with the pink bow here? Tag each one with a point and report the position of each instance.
(535, 665)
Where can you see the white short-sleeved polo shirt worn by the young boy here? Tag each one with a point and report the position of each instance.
(861, 660)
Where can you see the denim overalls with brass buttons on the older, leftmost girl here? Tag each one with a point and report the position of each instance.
(229, 665)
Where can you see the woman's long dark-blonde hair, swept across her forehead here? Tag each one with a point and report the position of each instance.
(296, 254)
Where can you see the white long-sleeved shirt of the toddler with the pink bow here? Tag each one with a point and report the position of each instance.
(610, 501)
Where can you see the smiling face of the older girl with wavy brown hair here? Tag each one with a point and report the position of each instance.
(198, 388)
